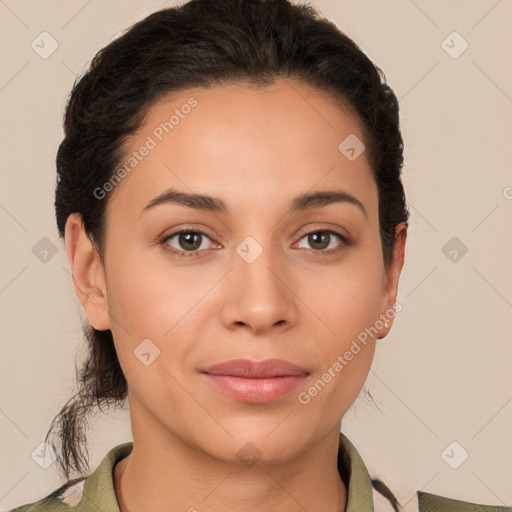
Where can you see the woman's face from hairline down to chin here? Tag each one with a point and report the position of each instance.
(273, 276)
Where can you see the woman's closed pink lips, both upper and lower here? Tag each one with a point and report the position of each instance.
(255, 381)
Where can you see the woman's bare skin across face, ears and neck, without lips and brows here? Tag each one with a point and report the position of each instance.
(256, 149)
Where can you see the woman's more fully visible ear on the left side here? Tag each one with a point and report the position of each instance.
(88, 273)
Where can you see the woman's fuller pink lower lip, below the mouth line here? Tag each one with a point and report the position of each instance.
(255, 390)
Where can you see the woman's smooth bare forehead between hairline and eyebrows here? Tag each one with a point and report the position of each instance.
(241, 141)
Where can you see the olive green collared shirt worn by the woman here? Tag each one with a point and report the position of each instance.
(96, 492)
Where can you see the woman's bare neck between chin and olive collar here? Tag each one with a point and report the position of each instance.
(167, 474)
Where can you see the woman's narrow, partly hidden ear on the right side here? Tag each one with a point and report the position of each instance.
(390, 280)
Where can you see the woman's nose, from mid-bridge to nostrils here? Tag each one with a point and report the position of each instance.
(258, 296)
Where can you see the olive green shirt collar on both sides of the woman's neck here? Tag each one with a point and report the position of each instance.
(98, 488)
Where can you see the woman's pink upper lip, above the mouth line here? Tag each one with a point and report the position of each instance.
(256, 369)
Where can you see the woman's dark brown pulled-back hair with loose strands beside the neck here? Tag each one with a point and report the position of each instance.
(203, 43)
